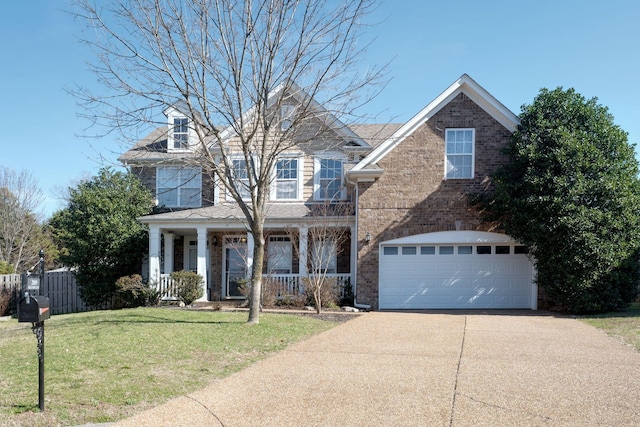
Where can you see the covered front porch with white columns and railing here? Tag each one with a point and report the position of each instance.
(221, 251)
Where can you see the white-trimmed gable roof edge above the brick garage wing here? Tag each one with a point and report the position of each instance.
(464, 84)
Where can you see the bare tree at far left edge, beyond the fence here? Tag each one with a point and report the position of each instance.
(20, 231)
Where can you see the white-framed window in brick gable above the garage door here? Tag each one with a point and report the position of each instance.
(459, 153)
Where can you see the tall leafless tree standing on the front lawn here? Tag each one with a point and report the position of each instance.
(257, 77)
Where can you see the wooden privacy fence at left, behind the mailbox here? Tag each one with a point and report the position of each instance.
(59, 286)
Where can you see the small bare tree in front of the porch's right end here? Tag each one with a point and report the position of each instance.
(326, 239)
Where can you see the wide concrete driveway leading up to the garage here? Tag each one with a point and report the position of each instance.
(426, 369)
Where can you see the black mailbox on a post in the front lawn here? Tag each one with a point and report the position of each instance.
(35, 309)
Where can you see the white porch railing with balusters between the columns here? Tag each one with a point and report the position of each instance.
(285, 284)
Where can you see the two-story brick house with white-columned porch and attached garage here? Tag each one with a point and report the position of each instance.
(414, 240)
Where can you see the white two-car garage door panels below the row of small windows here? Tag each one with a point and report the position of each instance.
(455, 281)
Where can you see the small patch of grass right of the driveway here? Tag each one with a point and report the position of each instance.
(623, 325)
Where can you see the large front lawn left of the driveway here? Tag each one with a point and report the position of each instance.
(106, 365)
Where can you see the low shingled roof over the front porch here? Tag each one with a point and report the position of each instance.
(226, 213)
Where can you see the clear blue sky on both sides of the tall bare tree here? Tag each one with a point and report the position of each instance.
(512, 48)
